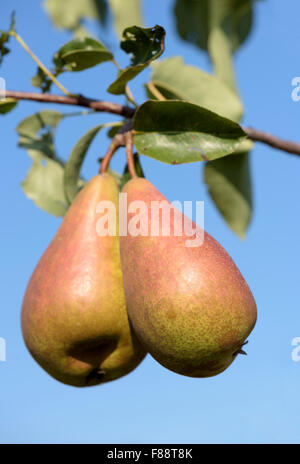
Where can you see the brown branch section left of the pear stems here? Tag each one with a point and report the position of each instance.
(77, 100)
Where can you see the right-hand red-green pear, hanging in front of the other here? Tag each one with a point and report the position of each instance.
(189, 305)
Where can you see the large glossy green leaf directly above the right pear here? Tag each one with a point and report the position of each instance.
(177, 132)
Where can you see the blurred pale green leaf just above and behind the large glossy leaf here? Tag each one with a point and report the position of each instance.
(176, 80)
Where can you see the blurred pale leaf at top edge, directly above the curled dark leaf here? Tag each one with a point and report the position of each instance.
(126, 13)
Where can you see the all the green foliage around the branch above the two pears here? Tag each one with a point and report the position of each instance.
(187, 116)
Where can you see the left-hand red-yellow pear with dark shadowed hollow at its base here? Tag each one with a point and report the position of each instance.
(74, 317)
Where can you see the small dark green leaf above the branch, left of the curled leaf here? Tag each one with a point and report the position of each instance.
(80, 54)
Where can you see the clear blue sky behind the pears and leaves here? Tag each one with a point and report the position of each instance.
(257, 399)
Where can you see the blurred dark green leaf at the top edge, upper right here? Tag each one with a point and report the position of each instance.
(196, 20)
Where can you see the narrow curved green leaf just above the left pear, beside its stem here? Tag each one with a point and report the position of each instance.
(74, 163)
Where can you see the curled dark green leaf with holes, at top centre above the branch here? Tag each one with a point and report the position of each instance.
(145, 45)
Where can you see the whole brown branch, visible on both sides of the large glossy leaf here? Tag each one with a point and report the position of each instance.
(128, 112)
